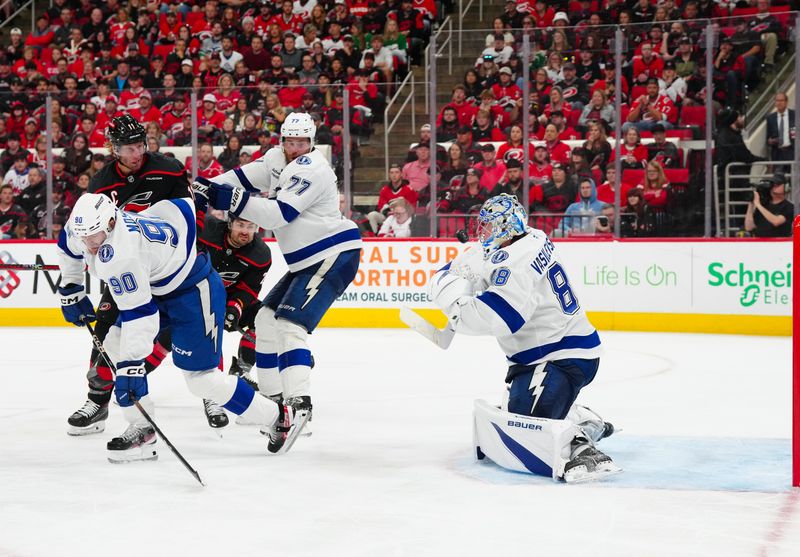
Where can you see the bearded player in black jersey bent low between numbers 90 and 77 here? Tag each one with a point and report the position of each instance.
(242, 259)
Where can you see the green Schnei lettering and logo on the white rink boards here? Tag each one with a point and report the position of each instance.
(765, 286)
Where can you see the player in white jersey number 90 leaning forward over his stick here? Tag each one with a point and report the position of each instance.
(158, 280)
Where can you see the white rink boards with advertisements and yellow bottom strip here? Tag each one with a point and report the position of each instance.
(715, 286)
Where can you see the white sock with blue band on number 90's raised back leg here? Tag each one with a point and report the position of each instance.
(233, 394)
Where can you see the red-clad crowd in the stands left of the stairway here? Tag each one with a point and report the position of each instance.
(248, 64)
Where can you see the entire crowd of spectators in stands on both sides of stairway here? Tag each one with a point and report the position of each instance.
(250, 63)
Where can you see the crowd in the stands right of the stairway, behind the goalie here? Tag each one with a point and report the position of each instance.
(572, 116)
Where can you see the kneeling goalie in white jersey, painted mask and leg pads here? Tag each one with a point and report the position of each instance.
(514, 287)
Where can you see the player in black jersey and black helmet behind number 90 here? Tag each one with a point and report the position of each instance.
(134, 181)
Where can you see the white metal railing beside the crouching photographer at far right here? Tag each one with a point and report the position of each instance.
(733, 198)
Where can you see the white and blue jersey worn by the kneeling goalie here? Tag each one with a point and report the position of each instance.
(524, 298)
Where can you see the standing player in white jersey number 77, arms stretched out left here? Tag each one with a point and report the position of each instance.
(320, 246)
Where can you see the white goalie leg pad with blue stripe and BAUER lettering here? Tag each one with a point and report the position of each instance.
(522, 443)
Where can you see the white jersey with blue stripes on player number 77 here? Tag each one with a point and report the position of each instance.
(301, 207)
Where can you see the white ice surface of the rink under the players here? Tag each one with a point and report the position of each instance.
(389, 469)
